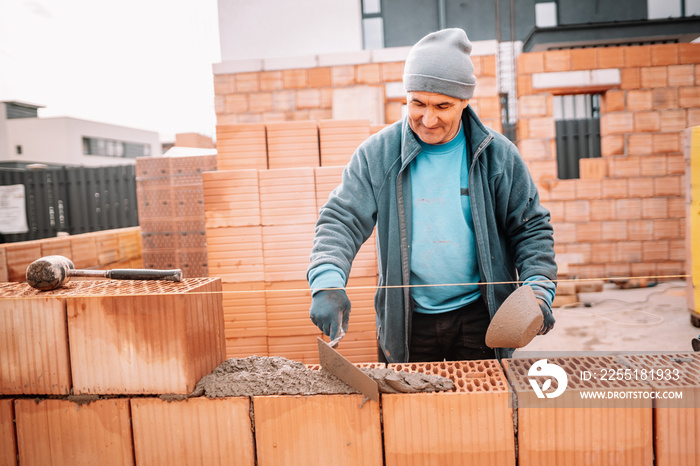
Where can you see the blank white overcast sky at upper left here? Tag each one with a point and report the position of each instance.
(140, 63)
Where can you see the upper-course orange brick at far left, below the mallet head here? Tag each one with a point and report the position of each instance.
(34, 356)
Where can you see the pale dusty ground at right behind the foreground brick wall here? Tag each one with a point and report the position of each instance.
(651, 319)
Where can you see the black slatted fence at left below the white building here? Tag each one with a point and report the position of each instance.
(74, 199)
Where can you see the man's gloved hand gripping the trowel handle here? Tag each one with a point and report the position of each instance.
(330, 311)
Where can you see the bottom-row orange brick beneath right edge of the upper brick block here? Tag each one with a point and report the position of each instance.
(196, 431)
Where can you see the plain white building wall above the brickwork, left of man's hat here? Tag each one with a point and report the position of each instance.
(258, 29)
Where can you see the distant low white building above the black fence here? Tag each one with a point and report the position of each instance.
(59, 140)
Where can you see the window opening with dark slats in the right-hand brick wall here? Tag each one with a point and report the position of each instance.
(577, 120)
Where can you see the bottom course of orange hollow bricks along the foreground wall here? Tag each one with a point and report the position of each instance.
(491, 417)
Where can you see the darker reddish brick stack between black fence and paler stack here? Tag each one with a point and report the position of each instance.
(171, 212)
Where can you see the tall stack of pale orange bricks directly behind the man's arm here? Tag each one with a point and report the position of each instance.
(261, 207)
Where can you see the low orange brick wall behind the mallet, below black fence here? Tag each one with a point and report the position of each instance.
(109, 249)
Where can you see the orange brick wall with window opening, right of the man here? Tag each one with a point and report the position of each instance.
(625, 215)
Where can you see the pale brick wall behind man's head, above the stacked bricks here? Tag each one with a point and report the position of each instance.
(311, 93)
